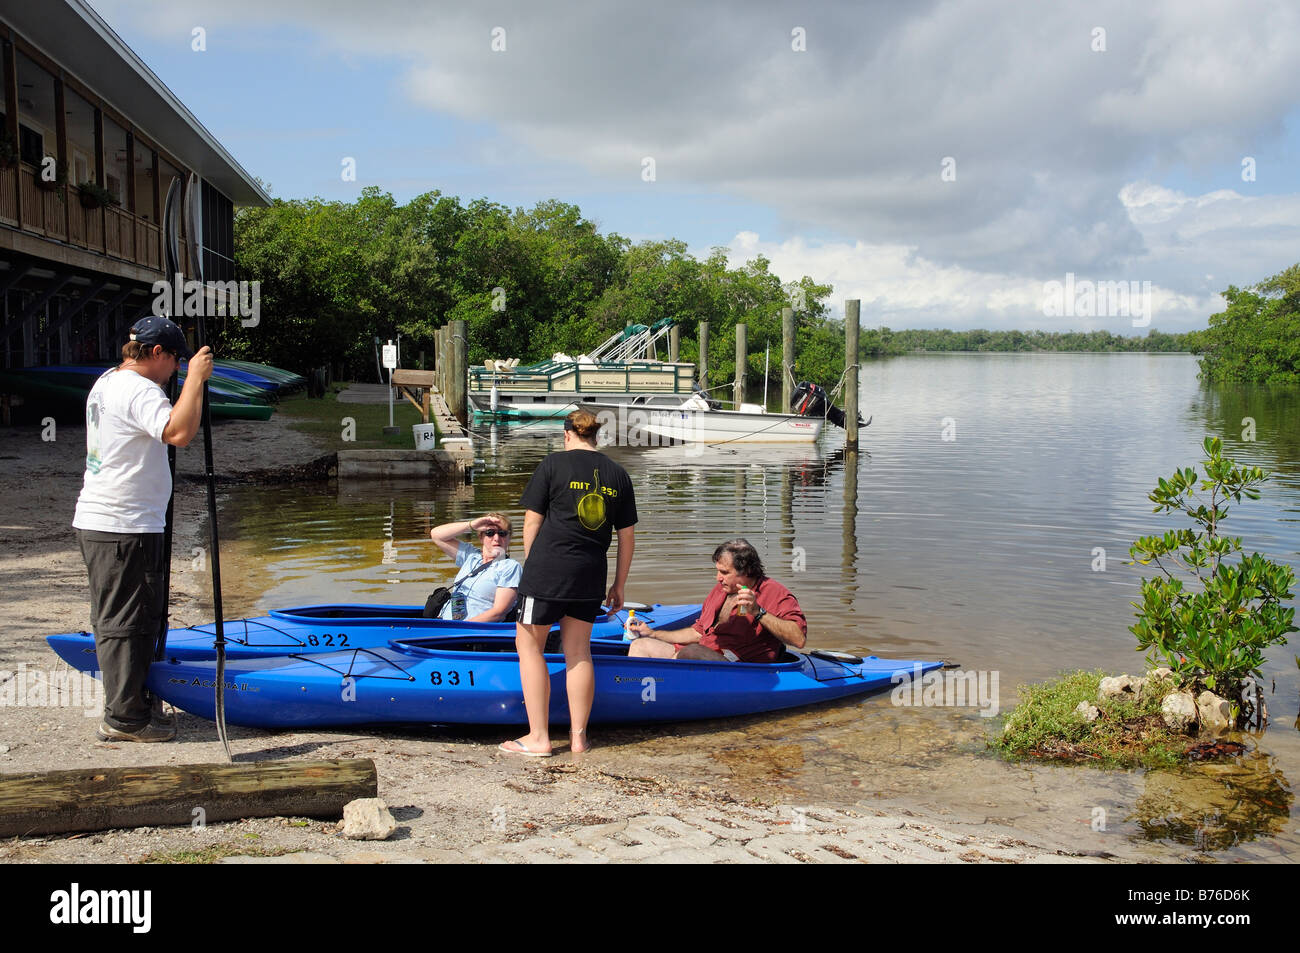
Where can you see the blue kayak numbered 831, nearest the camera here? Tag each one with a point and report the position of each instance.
(475, 681)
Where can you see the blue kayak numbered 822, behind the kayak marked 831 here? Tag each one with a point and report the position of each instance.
(330, 627)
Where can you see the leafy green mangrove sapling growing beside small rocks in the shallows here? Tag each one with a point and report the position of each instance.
(1215, 633)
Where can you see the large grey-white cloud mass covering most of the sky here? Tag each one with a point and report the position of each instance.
(1054, 142)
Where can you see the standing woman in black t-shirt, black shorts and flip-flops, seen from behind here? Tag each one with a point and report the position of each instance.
(575, 504)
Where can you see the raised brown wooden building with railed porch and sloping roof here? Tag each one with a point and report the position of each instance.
(92, 146)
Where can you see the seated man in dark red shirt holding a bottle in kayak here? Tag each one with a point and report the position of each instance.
(747, 618)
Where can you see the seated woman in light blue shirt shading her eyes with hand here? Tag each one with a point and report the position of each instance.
(488, 582)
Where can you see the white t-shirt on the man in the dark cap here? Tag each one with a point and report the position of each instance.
(128, 480)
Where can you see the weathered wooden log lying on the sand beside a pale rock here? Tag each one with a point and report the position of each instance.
(102, 799)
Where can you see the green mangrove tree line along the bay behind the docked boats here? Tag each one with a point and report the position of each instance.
(530, 283)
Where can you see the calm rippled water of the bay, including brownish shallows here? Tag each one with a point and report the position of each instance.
(969, 529)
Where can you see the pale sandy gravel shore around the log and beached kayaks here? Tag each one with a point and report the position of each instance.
(454, 795)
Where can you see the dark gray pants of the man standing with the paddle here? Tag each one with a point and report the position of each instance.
(127, 605)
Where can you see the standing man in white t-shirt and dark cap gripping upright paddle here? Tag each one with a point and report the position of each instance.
(122, 513)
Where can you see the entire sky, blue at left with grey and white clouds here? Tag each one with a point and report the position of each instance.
(942, 162)
